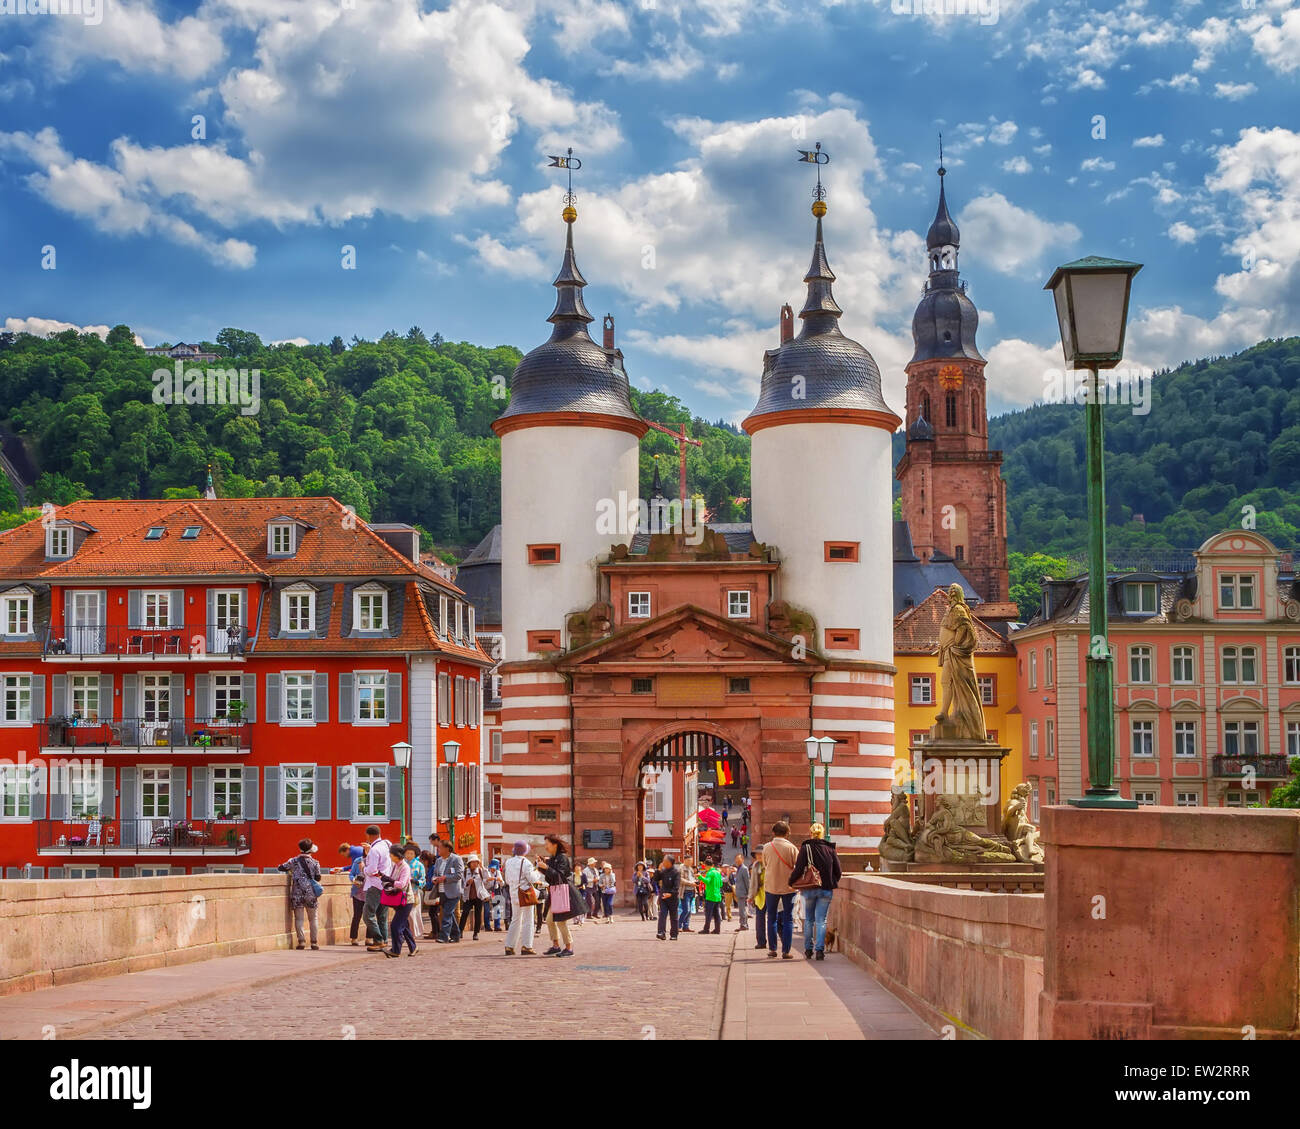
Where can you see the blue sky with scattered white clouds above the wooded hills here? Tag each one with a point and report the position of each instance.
(181, 168)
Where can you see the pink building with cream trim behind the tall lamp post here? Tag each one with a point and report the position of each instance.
(1207, 680)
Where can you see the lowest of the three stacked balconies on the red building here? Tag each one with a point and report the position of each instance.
(144, 837)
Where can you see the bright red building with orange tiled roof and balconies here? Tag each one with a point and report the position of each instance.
(194, 686)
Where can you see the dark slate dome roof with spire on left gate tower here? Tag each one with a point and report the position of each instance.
(570, 373)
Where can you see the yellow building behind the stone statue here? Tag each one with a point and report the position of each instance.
(917, 686)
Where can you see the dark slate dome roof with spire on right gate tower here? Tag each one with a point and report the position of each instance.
(839, 375)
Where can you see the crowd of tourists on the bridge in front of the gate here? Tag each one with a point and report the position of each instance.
(393, 885)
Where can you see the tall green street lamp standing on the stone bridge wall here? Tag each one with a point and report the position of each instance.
(1093, 309)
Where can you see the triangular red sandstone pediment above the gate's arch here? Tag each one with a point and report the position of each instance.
(692, 637)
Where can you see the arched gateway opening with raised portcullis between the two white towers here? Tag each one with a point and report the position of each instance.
(692, 799)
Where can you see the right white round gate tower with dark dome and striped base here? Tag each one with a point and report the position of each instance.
(822, 483)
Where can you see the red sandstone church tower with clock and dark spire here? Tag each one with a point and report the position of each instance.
(954, 495)
